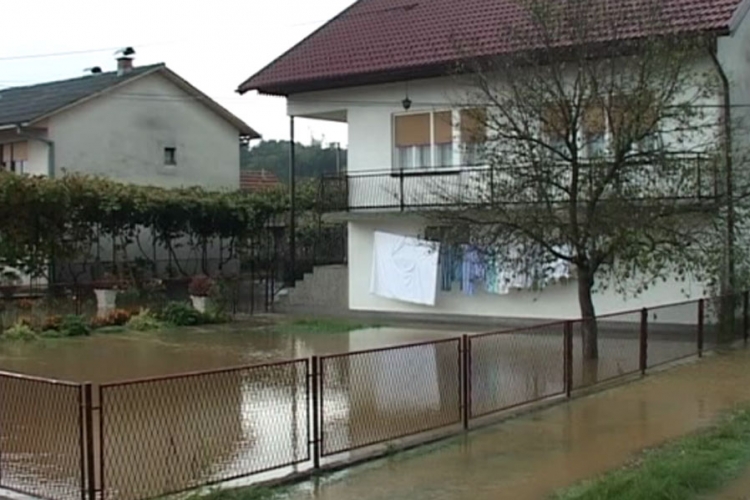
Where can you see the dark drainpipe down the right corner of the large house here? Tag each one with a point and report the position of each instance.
(728, 283)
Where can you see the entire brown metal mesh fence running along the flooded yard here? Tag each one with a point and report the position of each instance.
(152, 437)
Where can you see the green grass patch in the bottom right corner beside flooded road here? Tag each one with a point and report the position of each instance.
(682, 469)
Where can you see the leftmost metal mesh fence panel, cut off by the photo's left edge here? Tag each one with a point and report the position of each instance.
(41, 437)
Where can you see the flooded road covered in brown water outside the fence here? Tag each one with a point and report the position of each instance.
(532, 456)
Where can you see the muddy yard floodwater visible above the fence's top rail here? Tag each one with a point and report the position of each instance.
(114, 357)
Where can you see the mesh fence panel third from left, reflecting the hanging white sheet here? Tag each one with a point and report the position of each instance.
(371, 397)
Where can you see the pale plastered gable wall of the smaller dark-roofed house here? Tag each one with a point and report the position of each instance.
(122, 135)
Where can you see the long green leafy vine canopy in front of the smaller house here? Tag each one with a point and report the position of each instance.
(42, 218)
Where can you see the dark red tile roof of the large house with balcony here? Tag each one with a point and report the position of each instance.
(381, 40)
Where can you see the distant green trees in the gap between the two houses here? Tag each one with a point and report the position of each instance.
(273, 156)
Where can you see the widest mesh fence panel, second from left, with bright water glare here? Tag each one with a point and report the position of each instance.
(167, 435)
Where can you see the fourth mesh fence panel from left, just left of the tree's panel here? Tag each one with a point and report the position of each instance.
(515, 368)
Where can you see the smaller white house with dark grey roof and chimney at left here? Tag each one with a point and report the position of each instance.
(143, 125)
